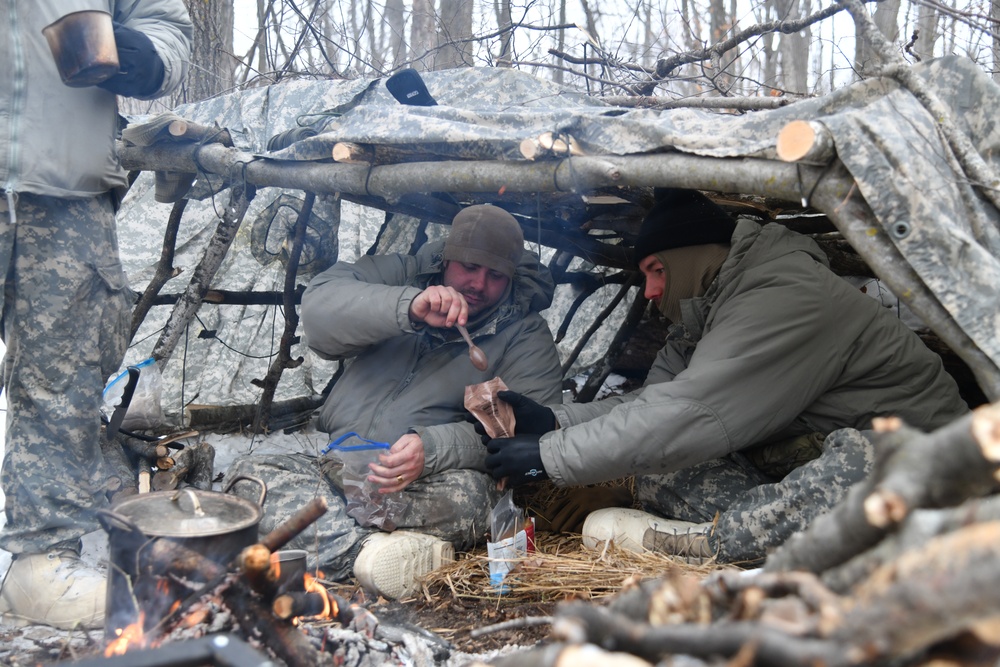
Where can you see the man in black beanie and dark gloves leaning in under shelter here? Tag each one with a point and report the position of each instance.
(747, 426)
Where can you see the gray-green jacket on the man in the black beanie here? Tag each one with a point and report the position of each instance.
(779, 346)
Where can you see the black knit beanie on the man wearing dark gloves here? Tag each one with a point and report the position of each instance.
(682, 218)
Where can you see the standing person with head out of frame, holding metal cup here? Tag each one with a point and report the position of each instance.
(66, 302)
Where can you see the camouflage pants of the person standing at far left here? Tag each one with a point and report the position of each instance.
(66, 318)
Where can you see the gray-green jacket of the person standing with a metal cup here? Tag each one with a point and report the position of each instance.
(60, 141)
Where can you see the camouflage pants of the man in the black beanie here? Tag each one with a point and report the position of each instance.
(757, 513)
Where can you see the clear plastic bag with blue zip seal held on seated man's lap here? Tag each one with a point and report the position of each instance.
(364, 502)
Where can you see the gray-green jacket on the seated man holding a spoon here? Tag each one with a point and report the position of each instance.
(400, 378)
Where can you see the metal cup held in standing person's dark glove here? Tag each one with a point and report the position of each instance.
(83, 46)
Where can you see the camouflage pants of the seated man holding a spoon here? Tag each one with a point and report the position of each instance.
(453, 505)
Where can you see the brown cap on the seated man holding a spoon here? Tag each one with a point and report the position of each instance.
(485, 235)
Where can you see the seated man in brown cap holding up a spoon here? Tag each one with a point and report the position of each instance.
(393, 317)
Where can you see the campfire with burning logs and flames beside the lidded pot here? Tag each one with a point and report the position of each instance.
(177, 593)
